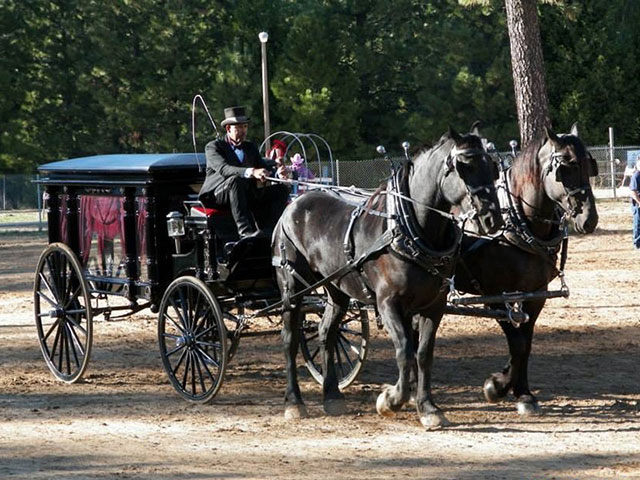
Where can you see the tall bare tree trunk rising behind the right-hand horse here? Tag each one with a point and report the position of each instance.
(527, 65)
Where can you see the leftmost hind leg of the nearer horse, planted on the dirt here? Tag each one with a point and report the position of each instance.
(294, 406)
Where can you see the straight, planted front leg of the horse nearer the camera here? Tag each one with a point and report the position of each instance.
(430, 414)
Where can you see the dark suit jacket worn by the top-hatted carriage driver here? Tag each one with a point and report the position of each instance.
(222, 162)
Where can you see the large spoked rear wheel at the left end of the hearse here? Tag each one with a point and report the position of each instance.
(63, 313)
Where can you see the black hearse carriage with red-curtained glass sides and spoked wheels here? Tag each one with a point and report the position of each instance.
(126, 232)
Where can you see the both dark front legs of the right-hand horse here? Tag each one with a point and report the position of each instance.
(515, 373)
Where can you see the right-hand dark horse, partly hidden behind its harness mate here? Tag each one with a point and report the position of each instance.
(548, 182)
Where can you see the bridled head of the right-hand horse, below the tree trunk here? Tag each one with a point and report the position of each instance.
(566, 168)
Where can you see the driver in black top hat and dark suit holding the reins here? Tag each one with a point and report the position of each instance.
(234, 170)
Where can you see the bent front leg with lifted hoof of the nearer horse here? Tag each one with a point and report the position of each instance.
(393, 397)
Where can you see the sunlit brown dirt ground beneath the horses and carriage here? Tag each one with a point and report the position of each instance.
(125, 420)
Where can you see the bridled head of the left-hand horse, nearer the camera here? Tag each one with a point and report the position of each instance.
(468, 179)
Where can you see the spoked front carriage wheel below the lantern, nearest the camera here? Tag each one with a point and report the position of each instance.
(192, 339)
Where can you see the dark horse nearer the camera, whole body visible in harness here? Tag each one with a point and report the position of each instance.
(399, 249)
